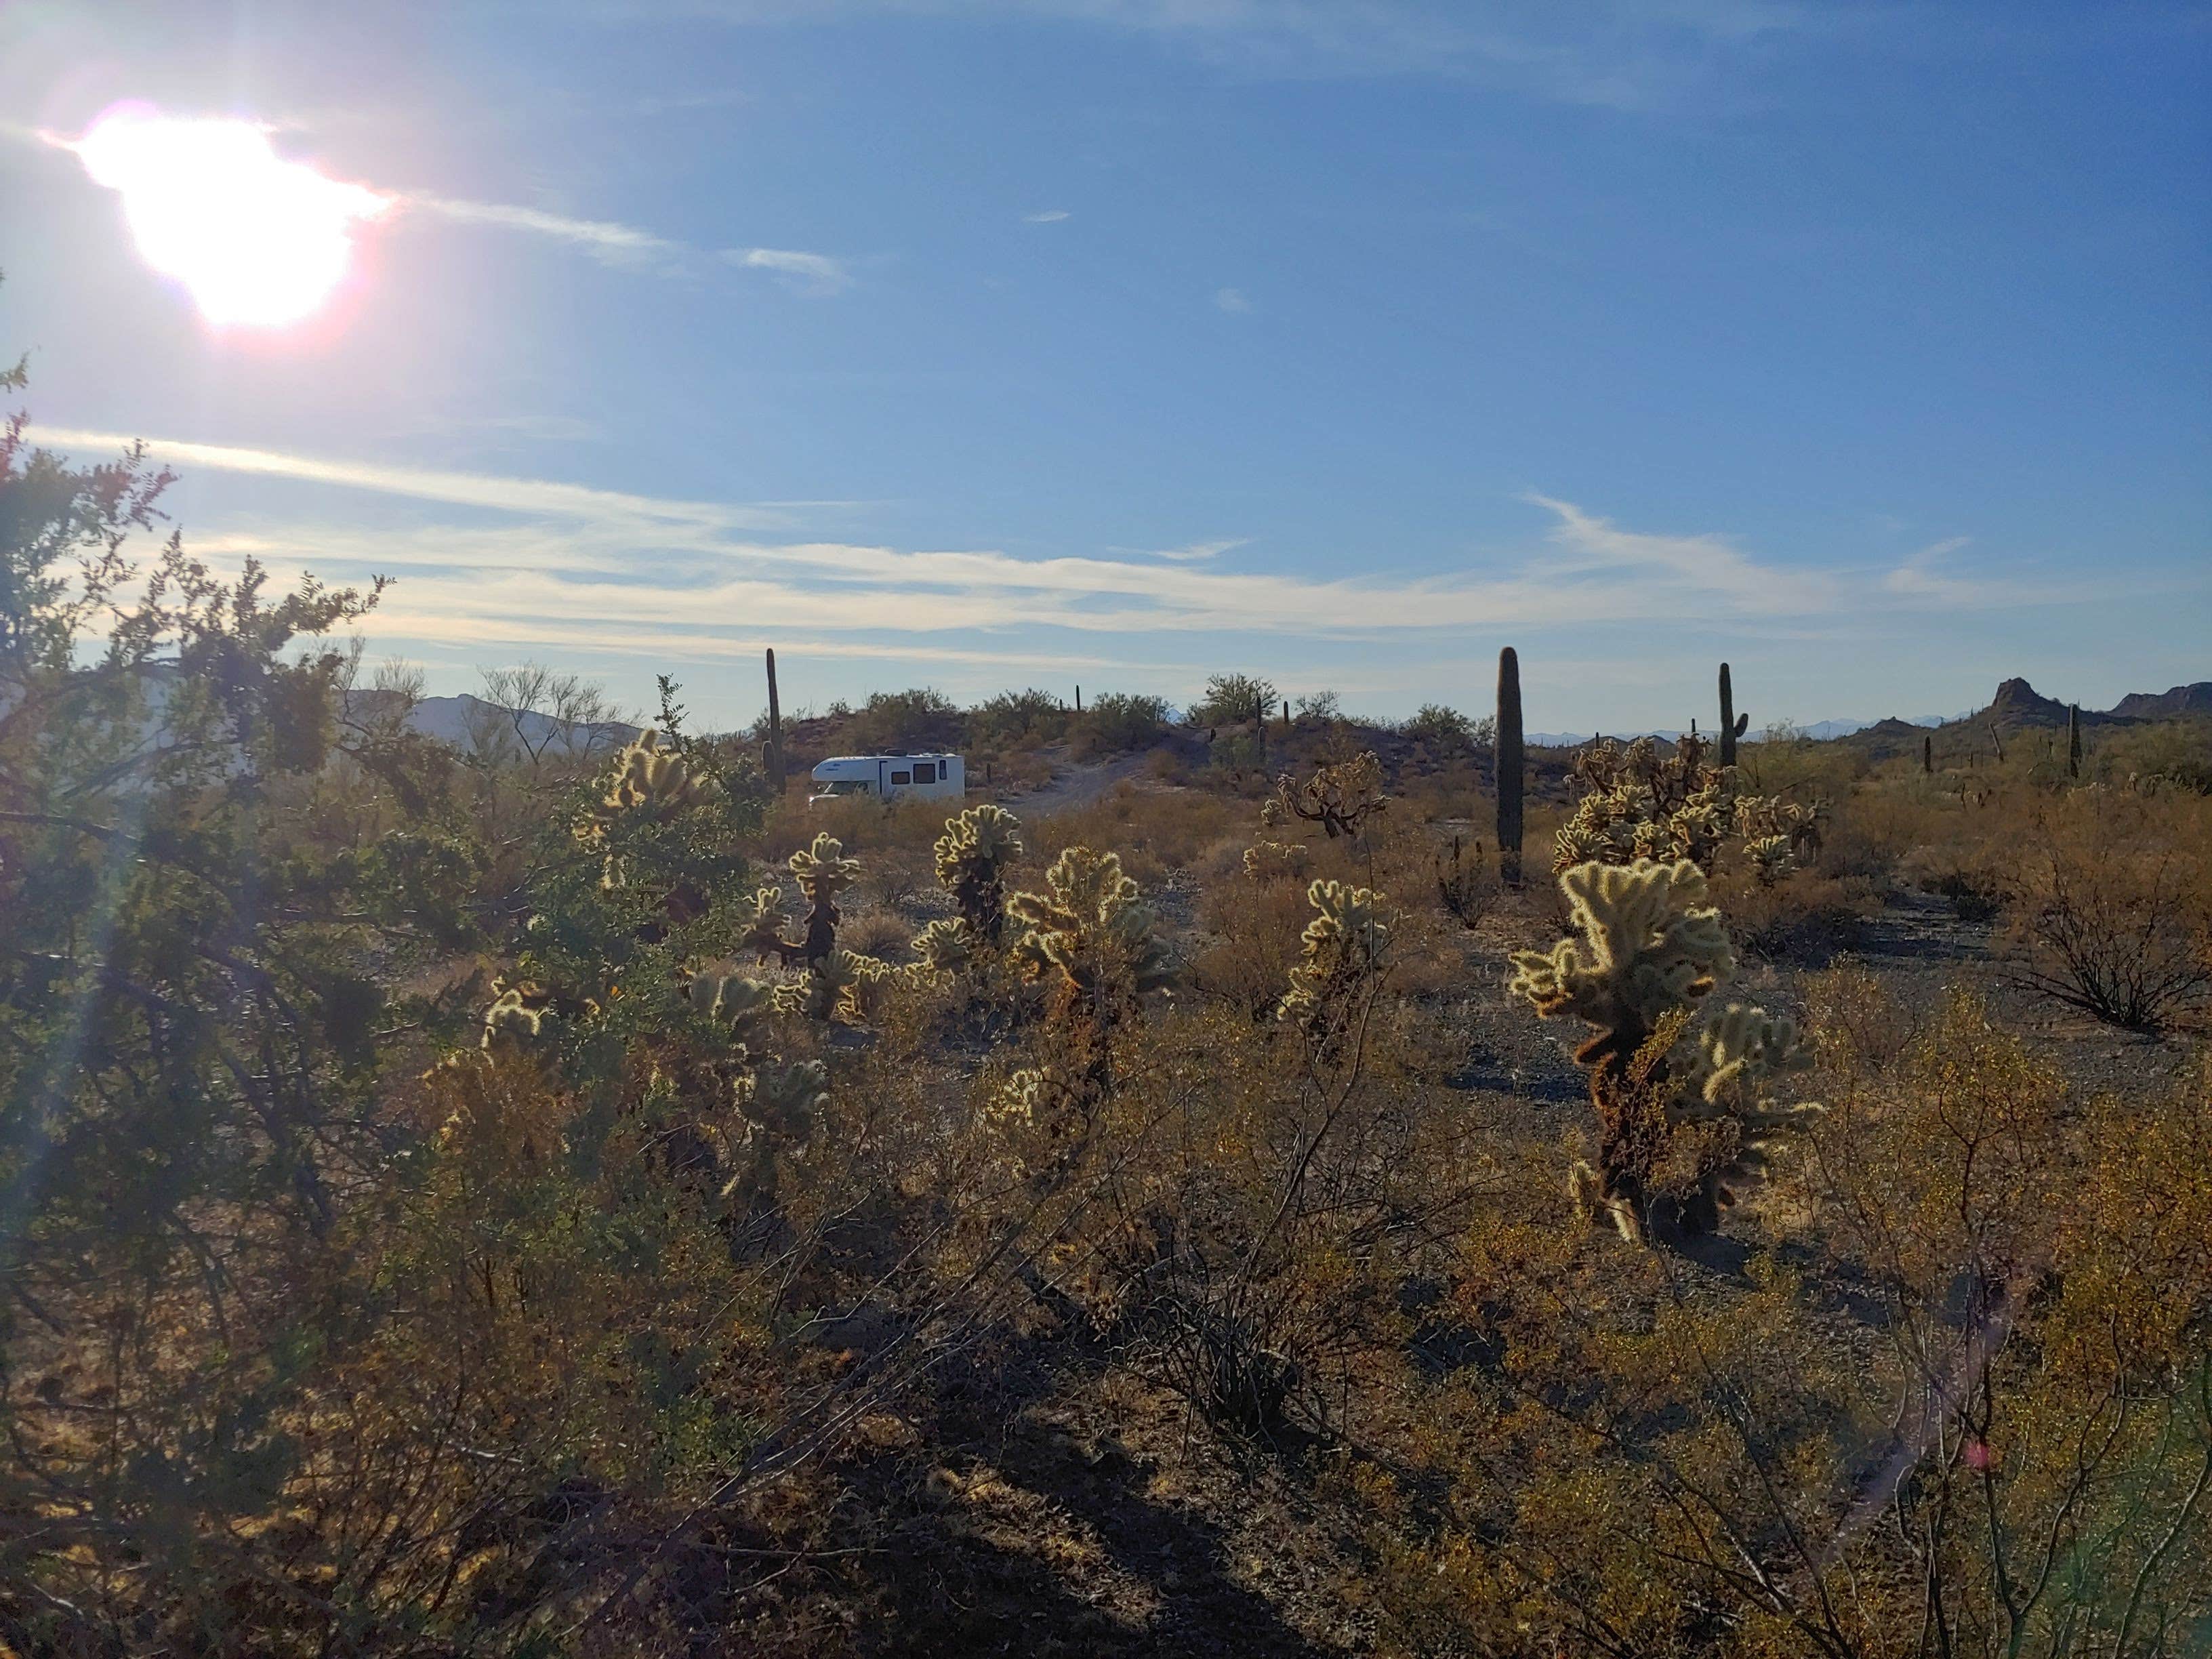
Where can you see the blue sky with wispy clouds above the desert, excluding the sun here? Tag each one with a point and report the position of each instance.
(1123, 342)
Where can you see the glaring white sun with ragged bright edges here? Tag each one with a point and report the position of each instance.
(255, 240)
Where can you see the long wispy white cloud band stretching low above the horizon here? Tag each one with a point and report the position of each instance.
(594, 565)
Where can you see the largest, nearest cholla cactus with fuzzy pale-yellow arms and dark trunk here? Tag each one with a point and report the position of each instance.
(1678, 1145)
